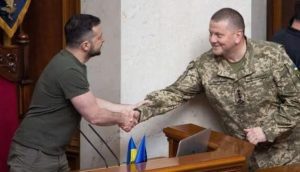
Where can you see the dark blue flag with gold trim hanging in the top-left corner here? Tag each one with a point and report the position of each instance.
(12, 13)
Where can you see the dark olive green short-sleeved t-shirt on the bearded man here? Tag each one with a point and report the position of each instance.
(52, 119)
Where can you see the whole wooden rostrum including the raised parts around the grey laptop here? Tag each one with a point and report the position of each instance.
(225, 153)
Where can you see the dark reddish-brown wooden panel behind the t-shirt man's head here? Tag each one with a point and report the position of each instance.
(44, 24)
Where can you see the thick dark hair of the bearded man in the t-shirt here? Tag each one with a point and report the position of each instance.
(78, 26)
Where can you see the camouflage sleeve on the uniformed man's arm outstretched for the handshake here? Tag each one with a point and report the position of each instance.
(162, 101)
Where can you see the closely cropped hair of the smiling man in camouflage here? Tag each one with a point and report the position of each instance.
(234, 17)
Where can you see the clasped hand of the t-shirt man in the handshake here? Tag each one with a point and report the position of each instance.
(130, 119)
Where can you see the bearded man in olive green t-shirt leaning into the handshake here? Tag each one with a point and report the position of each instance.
(61, 97)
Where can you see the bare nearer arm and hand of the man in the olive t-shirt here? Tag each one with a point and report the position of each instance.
(86, 105)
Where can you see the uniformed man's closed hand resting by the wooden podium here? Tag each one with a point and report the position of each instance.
(255, 135)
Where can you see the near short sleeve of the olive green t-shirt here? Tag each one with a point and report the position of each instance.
(73, 83)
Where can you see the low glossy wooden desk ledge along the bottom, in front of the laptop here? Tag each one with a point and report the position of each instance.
(196, 162)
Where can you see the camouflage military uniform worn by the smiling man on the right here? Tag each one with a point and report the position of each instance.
(263, 93)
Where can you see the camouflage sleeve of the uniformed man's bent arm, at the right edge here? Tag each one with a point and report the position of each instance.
(287, 82)
